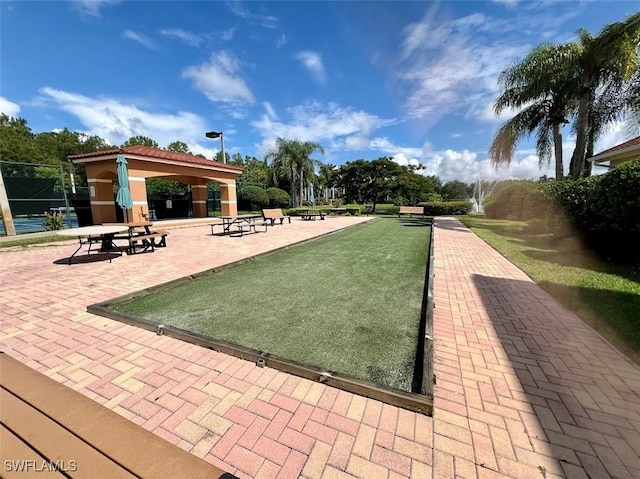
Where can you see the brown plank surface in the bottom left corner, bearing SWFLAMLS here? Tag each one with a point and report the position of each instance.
(50, 430)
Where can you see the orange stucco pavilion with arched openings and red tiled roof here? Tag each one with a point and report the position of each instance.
(145, 162)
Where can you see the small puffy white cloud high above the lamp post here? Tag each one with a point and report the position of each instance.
(218, 79)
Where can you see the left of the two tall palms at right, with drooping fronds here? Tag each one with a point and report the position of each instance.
(543, 89)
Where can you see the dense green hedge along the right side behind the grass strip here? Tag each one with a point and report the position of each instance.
(604, 209)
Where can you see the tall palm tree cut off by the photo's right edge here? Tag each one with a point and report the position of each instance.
(611, 58)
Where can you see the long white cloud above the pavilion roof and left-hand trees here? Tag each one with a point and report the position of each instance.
(116, 121)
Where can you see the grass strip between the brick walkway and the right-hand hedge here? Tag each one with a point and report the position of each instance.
(605, 296)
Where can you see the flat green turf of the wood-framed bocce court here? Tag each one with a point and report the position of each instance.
(348, 303)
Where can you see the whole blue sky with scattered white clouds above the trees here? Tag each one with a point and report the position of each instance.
(411, 80)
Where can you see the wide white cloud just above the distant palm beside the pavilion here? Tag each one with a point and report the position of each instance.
(331, 125)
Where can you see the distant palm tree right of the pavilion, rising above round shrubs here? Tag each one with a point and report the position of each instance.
(291, 158)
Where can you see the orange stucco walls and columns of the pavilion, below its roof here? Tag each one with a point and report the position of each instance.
(100, 176)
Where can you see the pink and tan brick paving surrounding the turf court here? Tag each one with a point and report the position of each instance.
(524, 389)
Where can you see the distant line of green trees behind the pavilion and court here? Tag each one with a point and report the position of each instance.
(288, 165)
